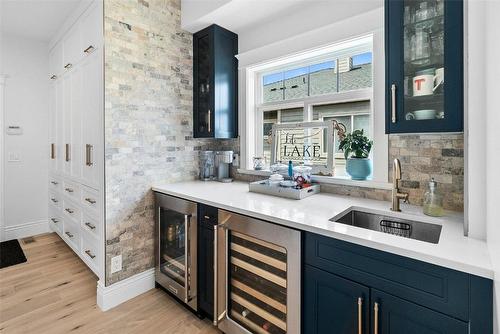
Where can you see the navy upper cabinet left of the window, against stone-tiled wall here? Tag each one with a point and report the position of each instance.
(215, 83)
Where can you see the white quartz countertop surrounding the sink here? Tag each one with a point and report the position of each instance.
(312, 214)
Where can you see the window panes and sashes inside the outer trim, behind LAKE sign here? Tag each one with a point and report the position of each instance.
(335, 87)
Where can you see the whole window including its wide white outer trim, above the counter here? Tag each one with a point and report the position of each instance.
(334, 82)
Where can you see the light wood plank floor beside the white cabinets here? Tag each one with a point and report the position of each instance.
(54, 292)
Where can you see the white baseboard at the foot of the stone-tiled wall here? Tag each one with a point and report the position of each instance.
(115, 294)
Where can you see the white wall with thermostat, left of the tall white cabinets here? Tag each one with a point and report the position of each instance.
(26, 104)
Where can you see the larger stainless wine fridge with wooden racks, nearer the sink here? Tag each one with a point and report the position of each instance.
(256, 276)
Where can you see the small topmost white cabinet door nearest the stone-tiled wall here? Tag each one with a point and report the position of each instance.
(91, 27)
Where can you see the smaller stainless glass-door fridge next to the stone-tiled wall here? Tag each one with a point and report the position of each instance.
(175, 247)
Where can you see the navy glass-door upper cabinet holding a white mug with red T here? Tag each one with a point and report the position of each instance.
(424, 66)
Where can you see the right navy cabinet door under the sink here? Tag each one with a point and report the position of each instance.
(392, 315)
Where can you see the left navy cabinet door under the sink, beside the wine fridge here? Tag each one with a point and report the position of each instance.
(332, 304)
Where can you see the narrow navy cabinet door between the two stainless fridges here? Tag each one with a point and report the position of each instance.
(206, 269)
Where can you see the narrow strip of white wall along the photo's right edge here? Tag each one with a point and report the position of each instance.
(492, 31)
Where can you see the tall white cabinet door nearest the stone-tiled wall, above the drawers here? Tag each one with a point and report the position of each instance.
(92, 119)
